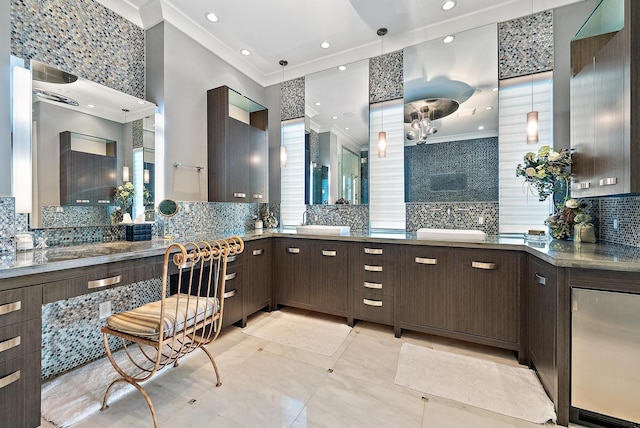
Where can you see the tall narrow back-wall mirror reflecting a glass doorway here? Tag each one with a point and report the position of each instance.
(337, 134)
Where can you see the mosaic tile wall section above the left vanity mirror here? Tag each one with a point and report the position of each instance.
(82, 37)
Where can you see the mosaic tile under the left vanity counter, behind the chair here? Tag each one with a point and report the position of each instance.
(71, 328)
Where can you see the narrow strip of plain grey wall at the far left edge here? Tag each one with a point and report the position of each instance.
(5, 102)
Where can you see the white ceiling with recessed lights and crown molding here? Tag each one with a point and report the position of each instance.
(293, 29)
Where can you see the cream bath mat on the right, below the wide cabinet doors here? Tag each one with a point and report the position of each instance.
(511, 391)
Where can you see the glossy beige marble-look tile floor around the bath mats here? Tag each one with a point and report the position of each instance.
(266, 384)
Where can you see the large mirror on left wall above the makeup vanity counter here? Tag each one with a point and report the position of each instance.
(94, 120)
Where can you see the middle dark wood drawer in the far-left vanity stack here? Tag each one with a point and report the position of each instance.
(20, 339)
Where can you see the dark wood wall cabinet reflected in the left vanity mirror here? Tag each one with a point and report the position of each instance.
(86, 177)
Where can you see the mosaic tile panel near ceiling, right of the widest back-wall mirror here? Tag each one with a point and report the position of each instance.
(525, 45)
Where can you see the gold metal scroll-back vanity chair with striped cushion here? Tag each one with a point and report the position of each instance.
(188, 316)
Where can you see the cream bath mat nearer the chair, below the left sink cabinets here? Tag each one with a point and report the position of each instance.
(298, 331)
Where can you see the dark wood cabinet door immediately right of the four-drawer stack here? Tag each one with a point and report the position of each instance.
(426, 290)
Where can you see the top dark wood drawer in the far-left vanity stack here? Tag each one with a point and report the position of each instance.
(20, 304)
